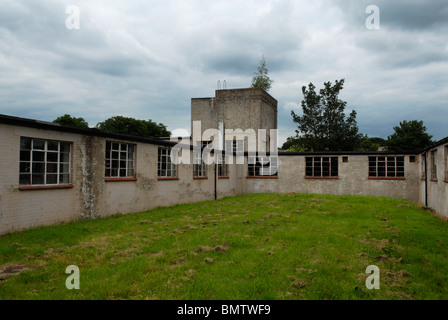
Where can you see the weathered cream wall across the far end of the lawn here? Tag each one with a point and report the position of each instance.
(353, 180)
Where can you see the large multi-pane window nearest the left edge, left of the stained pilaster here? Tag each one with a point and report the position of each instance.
(44, 162)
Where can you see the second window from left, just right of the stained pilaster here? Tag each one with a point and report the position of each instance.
(119, 160)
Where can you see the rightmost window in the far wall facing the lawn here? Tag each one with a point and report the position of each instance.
(386, 167)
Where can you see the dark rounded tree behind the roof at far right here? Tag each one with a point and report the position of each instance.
(409, 135)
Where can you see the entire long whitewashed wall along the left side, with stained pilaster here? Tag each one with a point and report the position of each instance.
(91, 196)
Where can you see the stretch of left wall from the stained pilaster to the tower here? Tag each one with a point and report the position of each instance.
(149, 192)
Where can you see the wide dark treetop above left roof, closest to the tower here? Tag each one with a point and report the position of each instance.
(135, 127)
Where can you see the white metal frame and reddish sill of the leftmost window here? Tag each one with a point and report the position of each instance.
(62, 167)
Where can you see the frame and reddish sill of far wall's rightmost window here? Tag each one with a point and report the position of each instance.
(386, 167)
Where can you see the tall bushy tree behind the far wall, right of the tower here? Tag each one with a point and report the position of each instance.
(324, 125)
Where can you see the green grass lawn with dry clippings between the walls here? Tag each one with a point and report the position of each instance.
(262, 246)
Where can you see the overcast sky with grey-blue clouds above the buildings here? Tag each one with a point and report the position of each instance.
(147, 59)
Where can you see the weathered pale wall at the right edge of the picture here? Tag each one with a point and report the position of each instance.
(437, 189)
